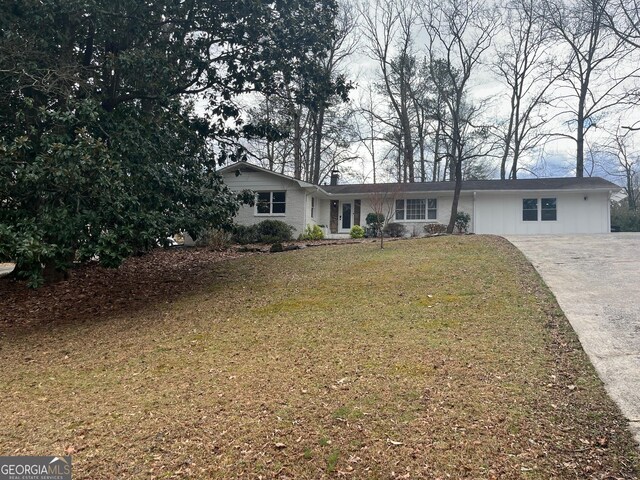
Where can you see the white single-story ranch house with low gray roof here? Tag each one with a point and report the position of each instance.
(527, 206)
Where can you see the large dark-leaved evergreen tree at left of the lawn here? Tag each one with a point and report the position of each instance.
(115, 115)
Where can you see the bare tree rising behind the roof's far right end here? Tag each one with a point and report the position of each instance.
(599, 65)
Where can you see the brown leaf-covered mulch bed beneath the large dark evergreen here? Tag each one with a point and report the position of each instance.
(93, 292)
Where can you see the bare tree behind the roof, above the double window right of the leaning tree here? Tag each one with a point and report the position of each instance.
(525, 65)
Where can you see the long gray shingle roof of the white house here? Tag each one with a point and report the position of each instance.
(568, 183)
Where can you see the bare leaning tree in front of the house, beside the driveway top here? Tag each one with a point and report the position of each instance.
(459, 33)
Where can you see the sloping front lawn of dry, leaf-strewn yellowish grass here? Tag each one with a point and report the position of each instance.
(435, 358)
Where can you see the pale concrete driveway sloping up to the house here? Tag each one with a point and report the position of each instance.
(596, 280)
